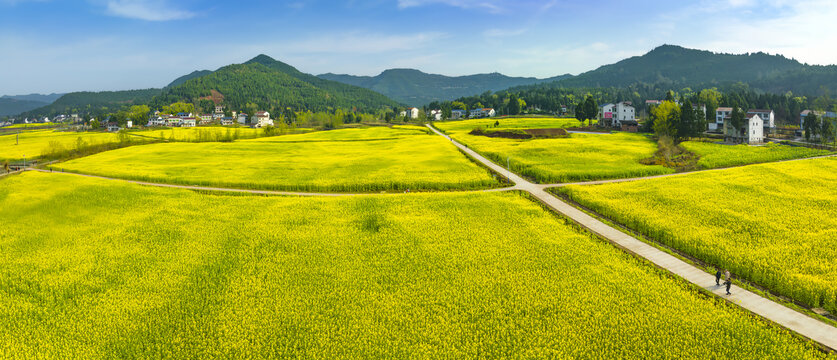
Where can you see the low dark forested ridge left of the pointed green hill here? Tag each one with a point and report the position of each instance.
(94, 102)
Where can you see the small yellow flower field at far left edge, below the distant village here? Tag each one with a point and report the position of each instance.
(32, 144)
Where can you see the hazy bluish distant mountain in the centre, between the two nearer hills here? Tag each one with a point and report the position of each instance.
(417, 88)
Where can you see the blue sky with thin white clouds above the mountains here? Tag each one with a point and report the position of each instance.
(74, 45)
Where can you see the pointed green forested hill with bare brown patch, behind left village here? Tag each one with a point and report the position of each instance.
(272, 85)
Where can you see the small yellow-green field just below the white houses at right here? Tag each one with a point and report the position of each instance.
(717, 155)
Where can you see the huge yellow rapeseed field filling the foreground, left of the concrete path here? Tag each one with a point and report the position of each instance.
(127, 271)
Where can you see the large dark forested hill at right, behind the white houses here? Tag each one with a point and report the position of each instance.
(676, 68)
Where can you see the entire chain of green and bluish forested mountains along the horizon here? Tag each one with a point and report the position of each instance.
(271, 84)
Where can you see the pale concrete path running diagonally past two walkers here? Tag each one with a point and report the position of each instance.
(793, 320)
